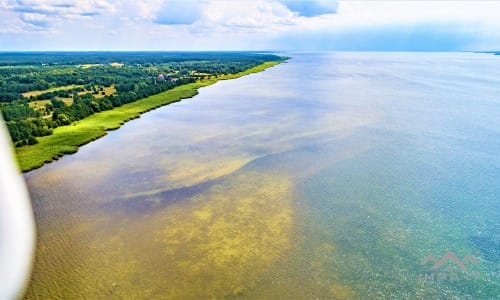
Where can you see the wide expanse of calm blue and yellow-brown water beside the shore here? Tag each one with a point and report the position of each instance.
(330, 176)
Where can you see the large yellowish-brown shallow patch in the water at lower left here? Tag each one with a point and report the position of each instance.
(217, 244)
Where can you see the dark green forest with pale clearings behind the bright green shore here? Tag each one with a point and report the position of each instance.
(40, 91)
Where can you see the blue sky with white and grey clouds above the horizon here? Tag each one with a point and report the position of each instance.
(168, 25)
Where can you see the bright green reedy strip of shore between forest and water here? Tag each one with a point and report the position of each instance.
(67, 139)
